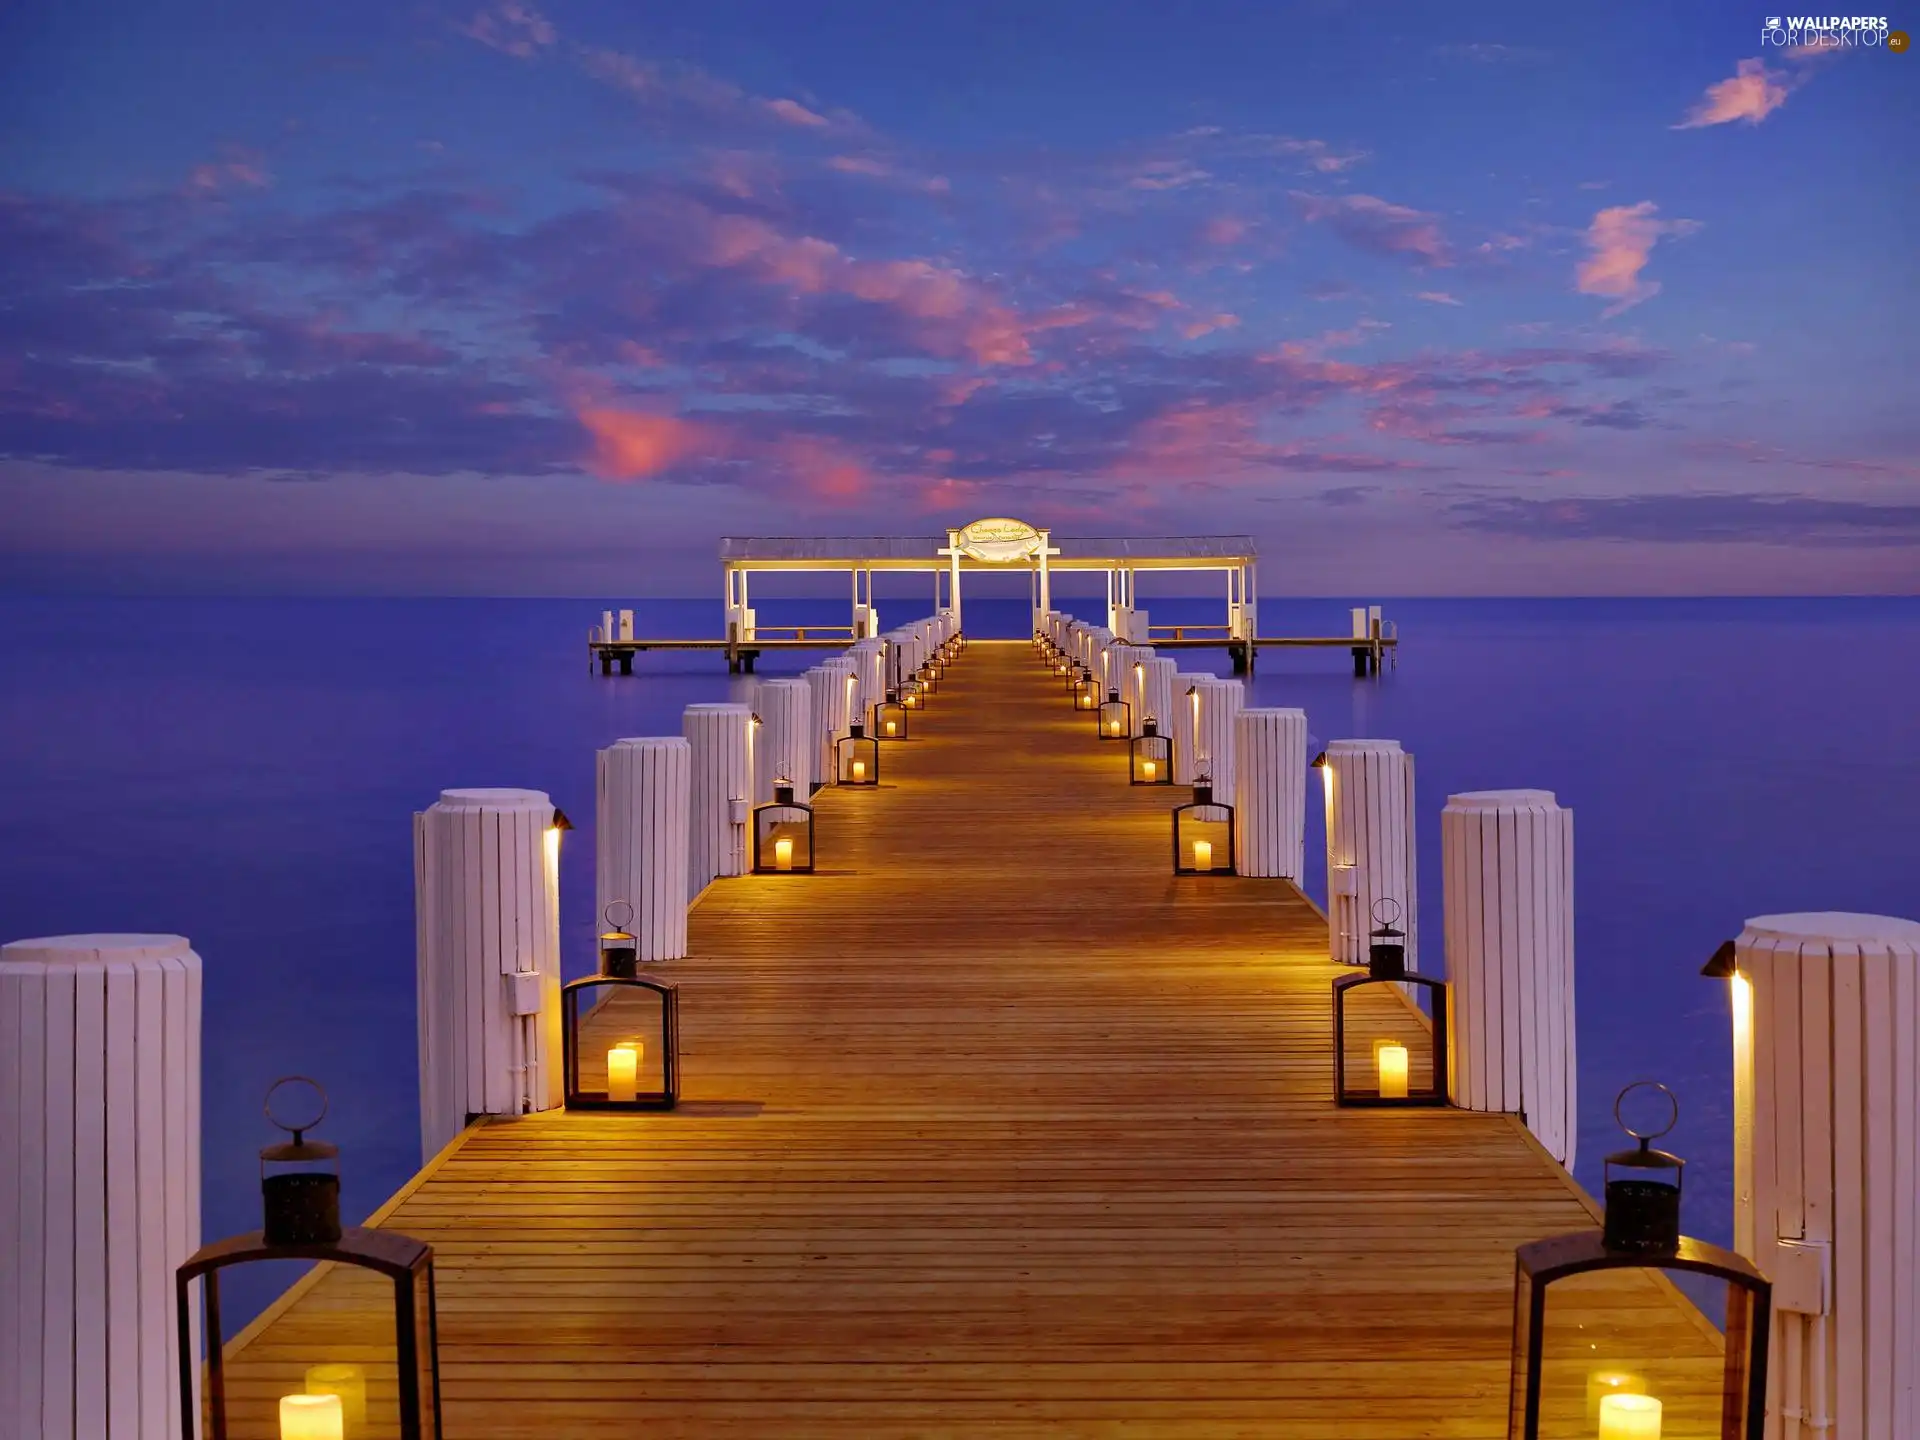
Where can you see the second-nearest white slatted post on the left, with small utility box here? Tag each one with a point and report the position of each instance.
(487, 896)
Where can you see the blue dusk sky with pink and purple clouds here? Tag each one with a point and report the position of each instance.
(546, 299)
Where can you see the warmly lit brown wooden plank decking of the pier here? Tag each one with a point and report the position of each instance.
(996, 1130)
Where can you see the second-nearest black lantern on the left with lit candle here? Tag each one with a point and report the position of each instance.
(613, 1068)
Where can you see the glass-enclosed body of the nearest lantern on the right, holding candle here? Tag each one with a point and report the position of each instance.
(1627, 1332)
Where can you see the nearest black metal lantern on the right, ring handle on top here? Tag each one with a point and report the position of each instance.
(1585, 1360)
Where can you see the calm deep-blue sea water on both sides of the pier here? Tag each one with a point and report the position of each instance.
(245, 775)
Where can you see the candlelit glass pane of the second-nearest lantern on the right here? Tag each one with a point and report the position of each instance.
(1383, 1051)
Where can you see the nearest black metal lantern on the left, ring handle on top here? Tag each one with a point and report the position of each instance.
(300, 1203)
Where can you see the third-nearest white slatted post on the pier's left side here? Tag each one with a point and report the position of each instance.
(642, 838)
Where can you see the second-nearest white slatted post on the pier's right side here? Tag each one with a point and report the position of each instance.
(1506, 867)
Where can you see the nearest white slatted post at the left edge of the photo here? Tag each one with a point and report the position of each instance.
(99, 1182)
